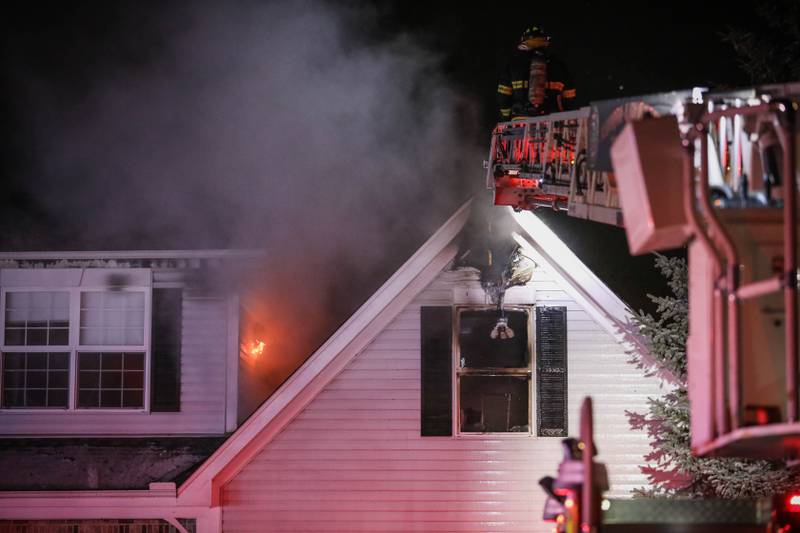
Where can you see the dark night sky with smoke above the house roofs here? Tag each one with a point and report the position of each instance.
(139, 124)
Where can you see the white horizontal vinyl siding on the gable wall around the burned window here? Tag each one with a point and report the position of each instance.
(354, 460)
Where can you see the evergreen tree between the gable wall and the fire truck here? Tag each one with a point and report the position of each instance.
(673, 470)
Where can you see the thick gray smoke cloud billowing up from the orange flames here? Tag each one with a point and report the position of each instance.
(278, 126)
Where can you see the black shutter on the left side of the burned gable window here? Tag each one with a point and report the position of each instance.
(437, 359)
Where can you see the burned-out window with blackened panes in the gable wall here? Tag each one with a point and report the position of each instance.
(494, 370)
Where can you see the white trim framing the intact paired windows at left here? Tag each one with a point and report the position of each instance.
(74, 346)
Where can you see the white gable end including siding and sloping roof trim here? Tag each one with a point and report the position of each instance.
(338, 446)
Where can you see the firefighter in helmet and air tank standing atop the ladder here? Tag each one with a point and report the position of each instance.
(534, 82)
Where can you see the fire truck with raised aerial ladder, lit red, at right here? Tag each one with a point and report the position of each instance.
(715, 172)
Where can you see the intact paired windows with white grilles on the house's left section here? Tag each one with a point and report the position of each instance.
(102, 357)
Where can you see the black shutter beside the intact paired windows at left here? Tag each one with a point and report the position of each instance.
(165, 350)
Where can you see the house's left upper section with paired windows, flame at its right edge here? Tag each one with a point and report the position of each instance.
(118, 368)
